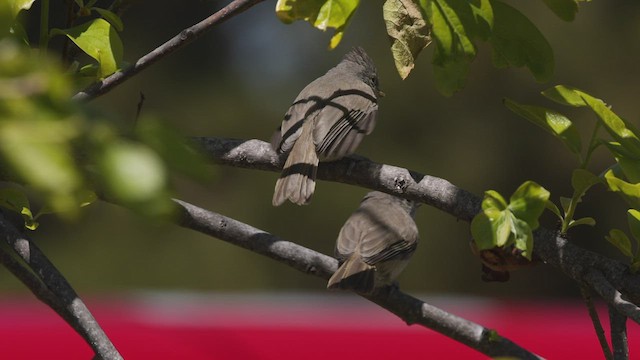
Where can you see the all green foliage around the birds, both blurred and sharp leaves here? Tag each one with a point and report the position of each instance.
(67, 154)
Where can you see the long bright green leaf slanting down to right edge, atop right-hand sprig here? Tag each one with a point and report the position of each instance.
(622, 131)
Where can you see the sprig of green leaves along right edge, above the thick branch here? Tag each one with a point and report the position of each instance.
(622, 141)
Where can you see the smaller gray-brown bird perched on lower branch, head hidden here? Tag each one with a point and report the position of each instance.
(375, 244)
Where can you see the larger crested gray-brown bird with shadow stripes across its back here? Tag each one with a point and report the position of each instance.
(326, 122)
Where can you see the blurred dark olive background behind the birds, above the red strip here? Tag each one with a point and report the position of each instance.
(239, 79)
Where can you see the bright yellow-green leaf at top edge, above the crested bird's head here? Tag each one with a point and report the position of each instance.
(322, 14)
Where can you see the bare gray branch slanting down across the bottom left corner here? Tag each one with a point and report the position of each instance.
(54, 290)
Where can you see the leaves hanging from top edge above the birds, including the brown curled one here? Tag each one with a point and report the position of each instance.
(454, 26)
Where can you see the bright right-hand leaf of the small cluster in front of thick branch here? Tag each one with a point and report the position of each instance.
(528, 202)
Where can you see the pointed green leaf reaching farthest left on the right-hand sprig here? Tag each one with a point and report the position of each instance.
(553, 122)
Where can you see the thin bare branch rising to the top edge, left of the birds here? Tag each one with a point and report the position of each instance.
(185, 37)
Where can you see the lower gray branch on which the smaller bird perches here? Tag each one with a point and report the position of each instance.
(408, 308)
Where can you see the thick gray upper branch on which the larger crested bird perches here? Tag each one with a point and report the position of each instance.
(553, 249)
